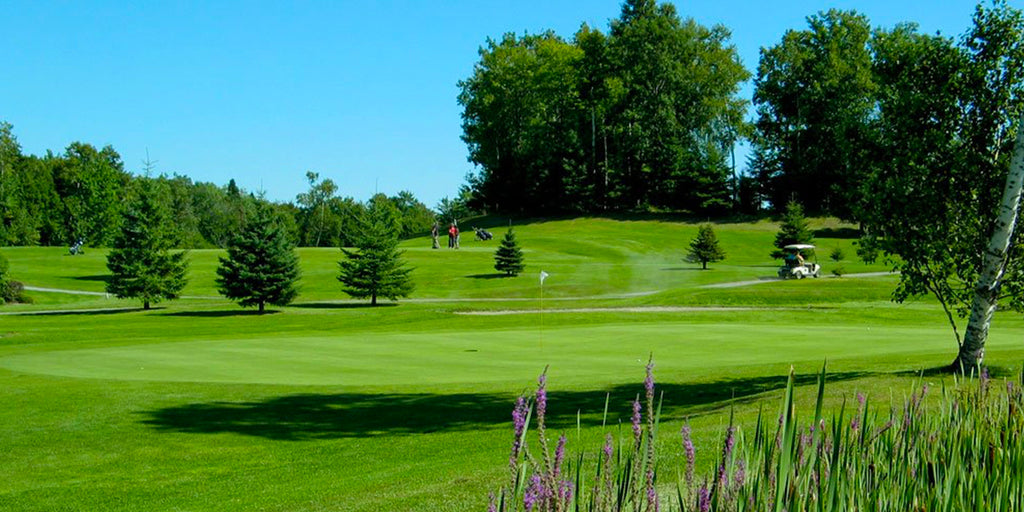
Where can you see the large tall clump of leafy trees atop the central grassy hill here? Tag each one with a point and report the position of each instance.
(644, 117)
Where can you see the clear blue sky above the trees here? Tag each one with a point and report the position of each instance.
(362, 93)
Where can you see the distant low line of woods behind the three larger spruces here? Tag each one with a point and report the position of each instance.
(82, 194)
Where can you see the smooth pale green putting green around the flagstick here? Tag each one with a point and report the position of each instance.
(593, 354)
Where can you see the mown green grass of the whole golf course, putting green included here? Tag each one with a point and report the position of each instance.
(329, 406)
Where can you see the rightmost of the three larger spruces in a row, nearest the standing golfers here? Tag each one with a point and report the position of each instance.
(376, 269)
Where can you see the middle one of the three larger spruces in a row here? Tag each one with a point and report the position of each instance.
(262, 267)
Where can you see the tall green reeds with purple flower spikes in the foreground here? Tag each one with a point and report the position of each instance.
(964, 452)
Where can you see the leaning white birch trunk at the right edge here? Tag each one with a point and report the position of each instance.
(988, 291)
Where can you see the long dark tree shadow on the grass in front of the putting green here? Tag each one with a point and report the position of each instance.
(303, 417)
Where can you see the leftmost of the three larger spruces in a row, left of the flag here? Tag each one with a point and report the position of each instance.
(142, 263)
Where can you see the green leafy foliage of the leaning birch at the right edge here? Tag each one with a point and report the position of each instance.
(947, 129)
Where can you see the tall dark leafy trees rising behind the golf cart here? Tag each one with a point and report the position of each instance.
(815, 94)
